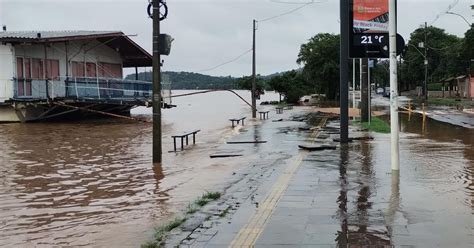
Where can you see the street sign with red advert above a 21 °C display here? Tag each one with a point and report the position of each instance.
(369, 29)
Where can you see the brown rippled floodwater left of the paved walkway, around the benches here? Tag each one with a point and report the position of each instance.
(91, 183)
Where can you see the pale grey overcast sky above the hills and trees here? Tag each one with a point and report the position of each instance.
(208, 33)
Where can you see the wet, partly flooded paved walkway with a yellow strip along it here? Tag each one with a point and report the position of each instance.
(346, 197)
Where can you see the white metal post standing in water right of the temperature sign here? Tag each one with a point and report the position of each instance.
(392, 18)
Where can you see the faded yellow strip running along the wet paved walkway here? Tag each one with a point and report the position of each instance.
(248, 235)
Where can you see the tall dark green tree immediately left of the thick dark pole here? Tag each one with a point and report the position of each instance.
(320, 57)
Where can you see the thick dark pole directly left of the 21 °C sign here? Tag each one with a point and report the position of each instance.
(344, 69)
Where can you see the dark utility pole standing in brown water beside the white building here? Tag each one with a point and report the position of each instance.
(156, 101)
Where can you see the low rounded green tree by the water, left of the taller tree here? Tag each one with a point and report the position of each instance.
(292, 85)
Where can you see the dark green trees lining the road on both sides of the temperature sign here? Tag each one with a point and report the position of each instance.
(448, 56)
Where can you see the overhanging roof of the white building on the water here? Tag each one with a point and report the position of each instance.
(132, 54)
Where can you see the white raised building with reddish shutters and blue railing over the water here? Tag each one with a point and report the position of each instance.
(47, 75)
